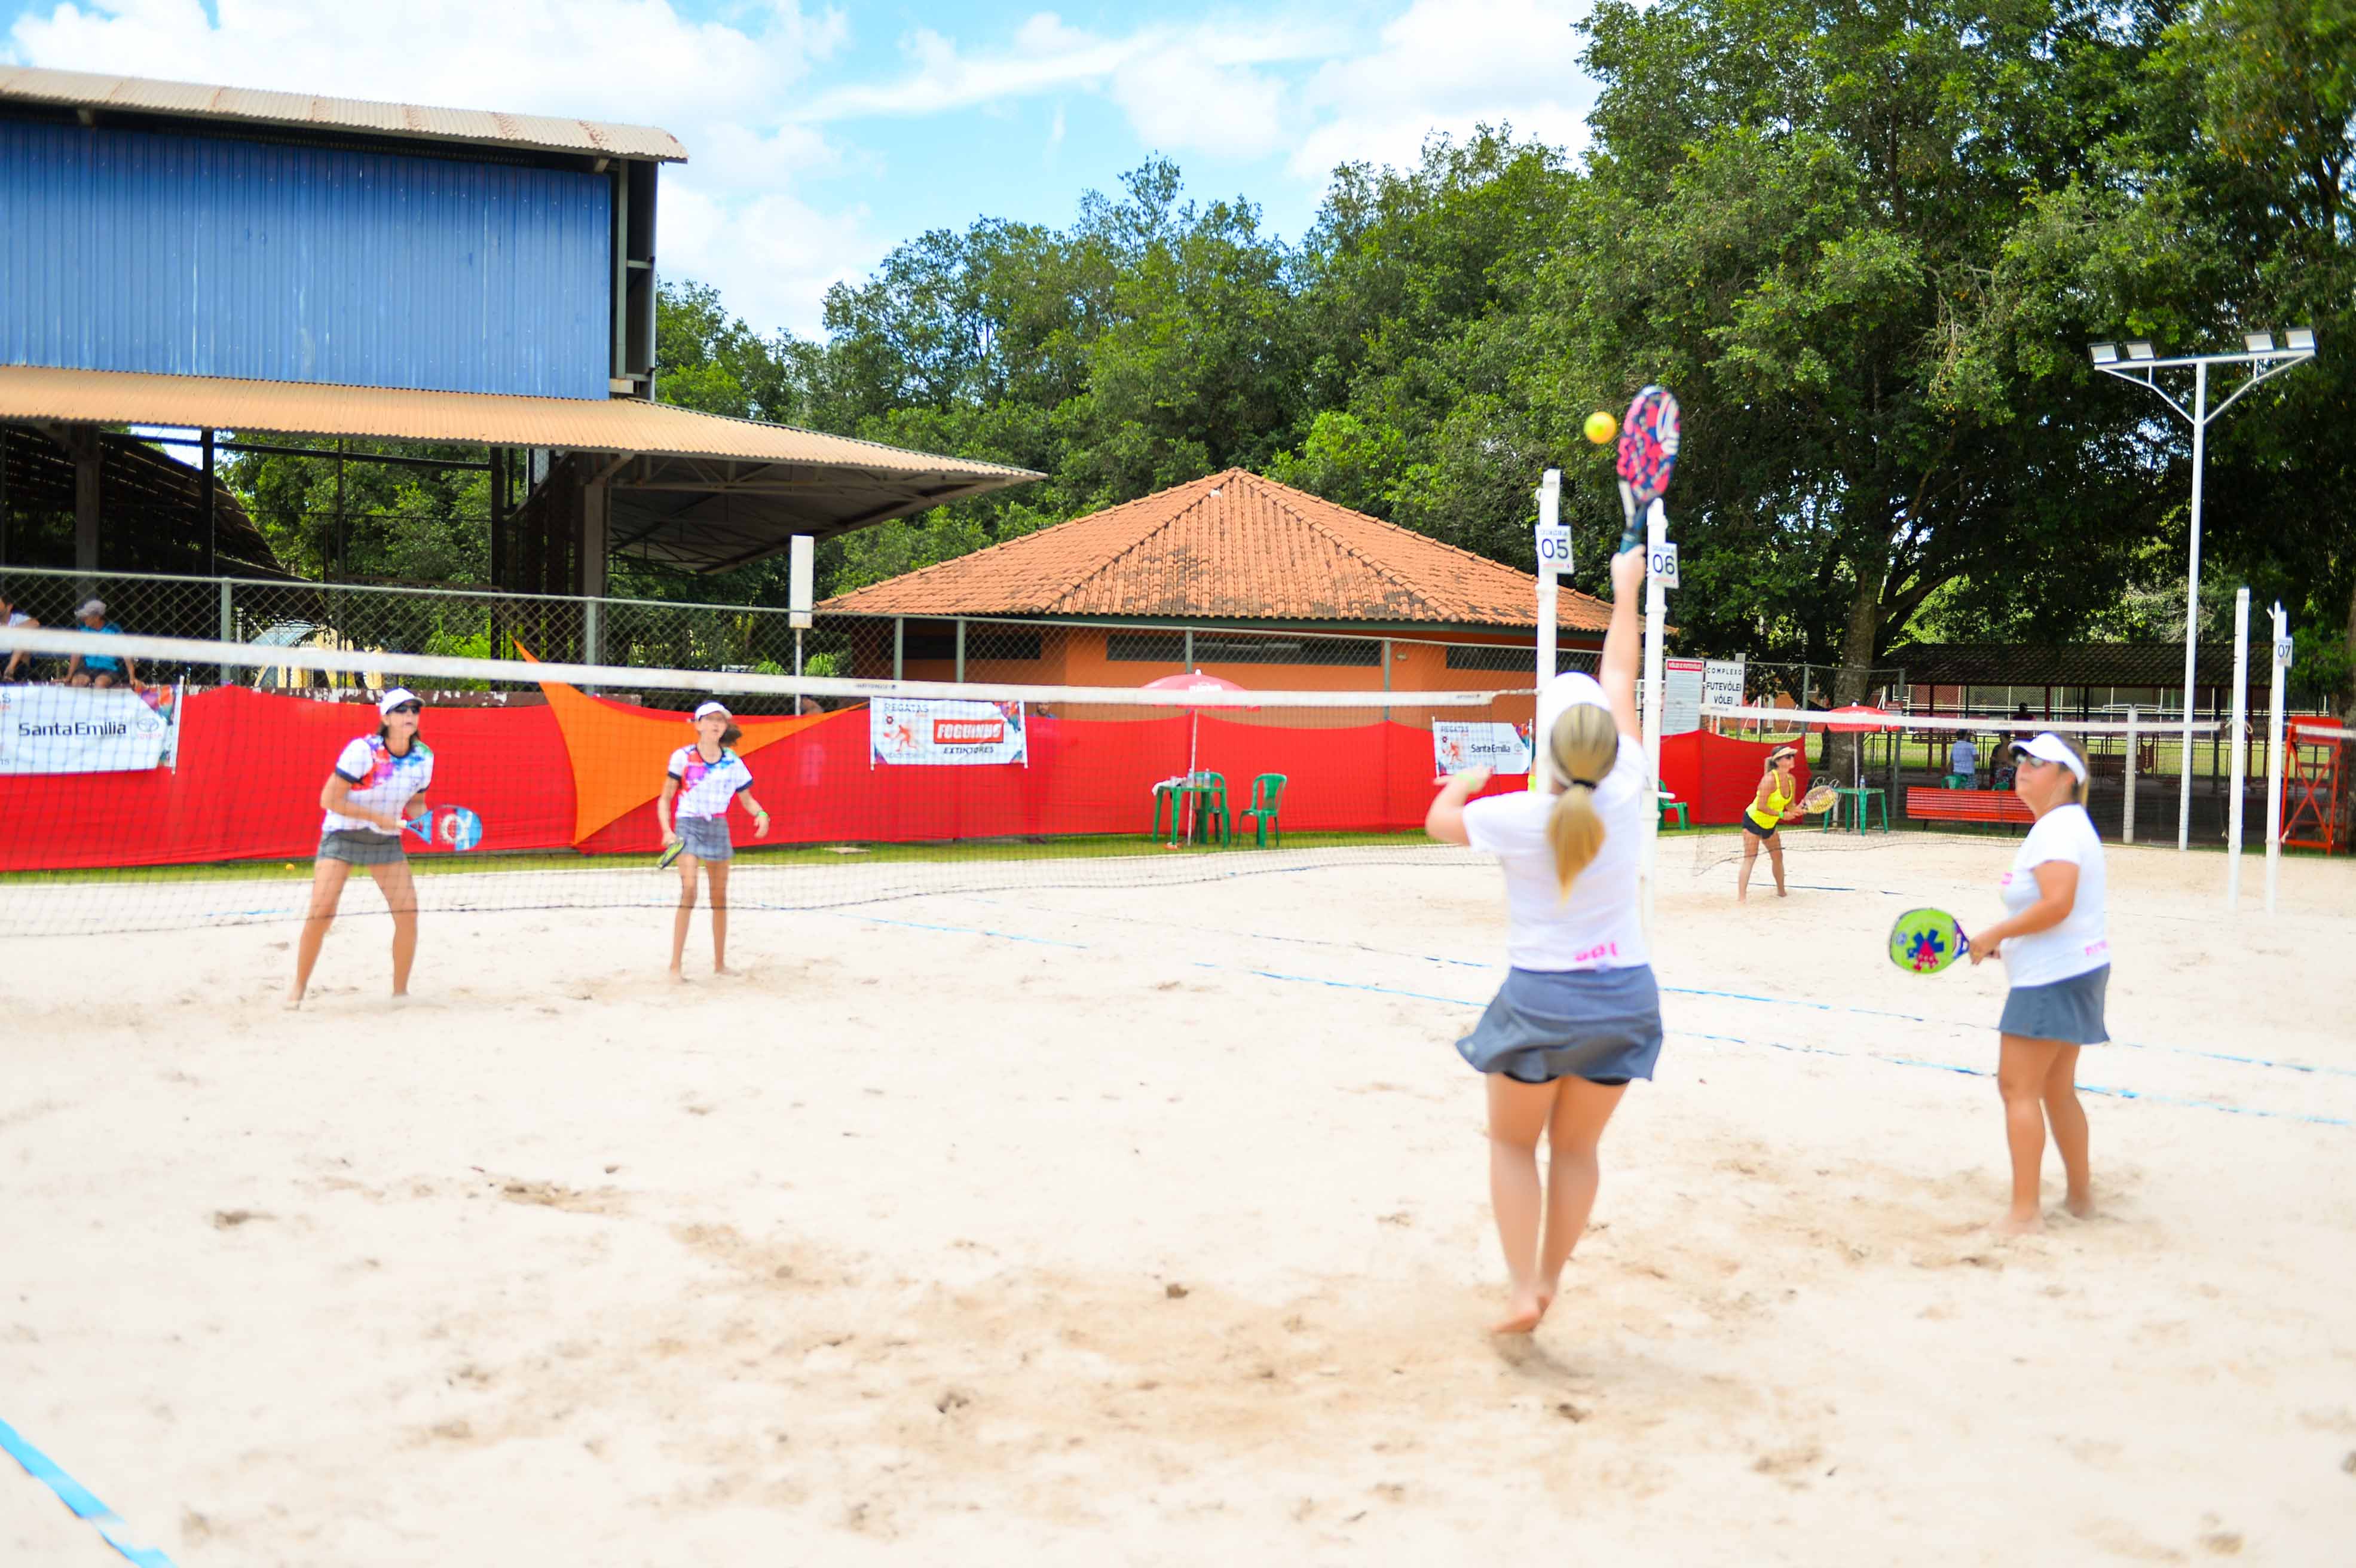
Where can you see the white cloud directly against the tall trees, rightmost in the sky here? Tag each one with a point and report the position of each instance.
(1448, 65)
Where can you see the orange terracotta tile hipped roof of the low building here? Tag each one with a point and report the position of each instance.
(1233, 547)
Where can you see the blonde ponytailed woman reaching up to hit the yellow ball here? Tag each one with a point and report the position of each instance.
(1580, 1014)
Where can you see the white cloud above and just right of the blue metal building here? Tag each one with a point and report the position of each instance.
(732, 215)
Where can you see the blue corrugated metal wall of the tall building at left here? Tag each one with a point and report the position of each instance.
(199, 255)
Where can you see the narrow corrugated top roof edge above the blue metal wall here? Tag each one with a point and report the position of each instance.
(260, 107)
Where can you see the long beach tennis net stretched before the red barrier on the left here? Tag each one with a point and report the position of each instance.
(201, 802)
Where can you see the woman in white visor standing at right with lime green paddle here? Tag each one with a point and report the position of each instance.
(2058, 955)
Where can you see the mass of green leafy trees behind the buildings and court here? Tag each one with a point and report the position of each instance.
(1865, 244)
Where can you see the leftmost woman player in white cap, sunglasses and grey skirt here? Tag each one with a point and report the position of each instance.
(378, 785)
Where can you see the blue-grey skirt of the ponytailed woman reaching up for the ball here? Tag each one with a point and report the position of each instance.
(1547, 1025)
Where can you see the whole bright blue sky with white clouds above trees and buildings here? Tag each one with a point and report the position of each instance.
(821, 138)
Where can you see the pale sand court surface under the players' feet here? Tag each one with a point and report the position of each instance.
(1080, 1225)
